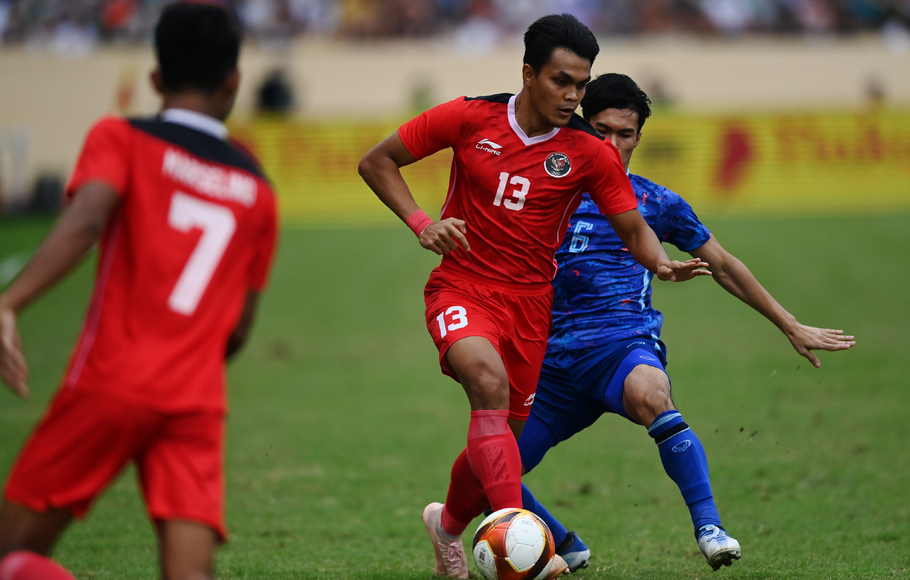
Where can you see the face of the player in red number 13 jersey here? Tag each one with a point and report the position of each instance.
(556, 91)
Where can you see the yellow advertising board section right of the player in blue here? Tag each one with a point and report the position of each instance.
(813, 162)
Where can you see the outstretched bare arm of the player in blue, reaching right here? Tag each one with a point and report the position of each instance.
(736, 278)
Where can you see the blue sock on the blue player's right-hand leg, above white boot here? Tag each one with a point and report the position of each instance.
(685, 462)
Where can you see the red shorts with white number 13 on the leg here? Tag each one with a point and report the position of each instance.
(514, 319)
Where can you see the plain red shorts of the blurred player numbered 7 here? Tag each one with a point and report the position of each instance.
(85, 440)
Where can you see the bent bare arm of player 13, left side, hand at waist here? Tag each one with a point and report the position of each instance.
(380, 168)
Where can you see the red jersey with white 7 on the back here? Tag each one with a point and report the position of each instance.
(195, 230)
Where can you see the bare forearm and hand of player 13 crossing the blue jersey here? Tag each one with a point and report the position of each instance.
(649, 252)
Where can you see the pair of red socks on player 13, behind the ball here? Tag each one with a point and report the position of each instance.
(487, 473)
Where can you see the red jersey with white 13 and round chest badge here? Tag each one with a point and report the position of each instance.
(516, 193)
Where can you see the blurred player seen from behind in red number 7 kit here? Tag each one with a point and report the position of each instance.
(187, 230)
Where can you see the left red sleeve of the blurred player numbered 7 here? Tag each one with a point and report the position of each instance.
(104, 156)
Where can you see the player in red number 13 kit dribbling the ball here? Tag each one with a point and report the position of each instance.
(521, 163)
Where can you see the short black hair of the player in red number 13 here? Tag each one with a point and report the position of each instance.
(558, 31)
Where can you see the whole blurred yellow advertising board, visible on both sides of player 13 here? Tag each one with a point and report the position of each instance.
(758, 163)
